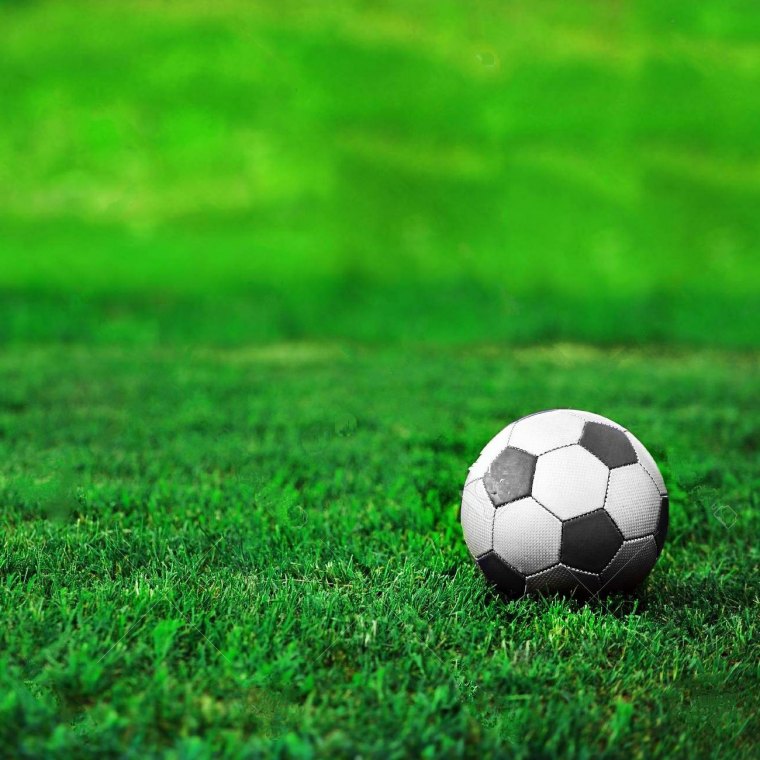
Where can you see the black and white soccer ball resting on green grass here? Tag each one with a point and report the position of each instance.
(564, 500)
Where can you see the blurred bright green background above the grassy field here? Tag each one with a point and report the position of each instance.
(236, 171)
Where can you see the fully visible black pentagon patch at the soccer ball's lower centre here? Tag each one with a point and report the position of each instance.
(589, 542)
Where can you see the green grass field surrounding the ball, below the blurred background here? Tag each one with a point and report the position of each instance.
(259, 550)
